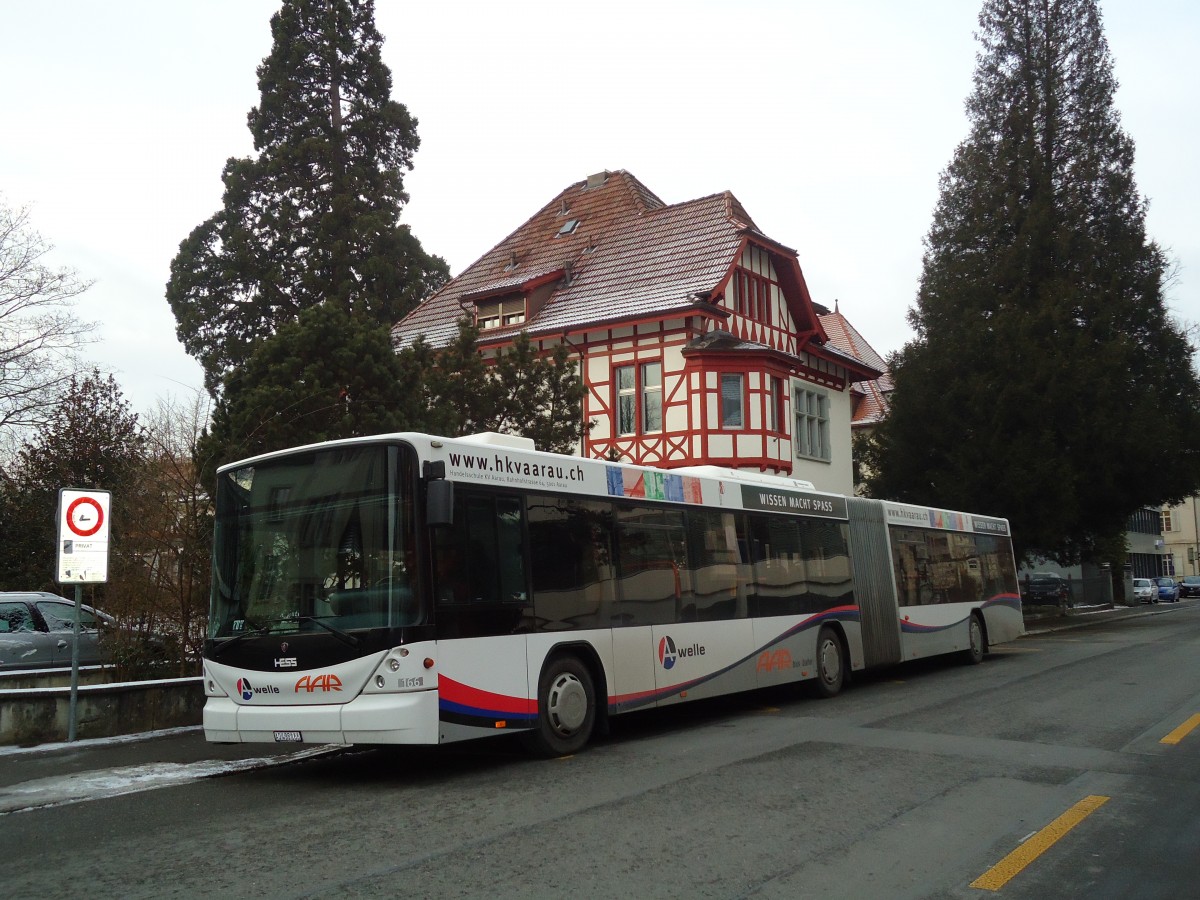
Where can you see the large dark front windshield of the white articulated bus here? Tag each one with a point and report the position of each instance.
(316, 542)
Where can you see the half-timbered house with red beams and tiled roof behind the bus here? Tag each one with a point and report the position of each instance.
(695, 333)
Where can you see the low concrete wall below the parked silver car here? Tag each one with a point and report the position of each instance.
(35, 716)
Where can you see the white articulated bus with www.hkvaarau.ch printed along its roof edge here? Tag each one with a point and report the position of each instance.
(415, 590)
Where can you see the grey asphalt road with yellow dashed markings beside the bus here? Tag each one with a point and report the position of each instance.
(916, 783)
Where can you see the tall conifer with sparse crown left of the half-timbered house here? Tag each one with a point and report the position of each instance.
(314, 217)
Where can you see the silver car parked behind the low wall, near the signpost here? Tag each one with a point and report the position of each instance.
(37, 631)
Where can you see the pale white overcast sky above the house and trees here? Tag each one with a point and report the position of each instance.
(830, 122)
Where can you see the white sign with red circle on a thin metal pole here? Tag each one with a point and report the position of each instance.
(83, 526)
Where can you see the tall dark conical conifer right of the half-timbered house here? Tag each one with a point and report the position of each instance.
(1047, 381)
